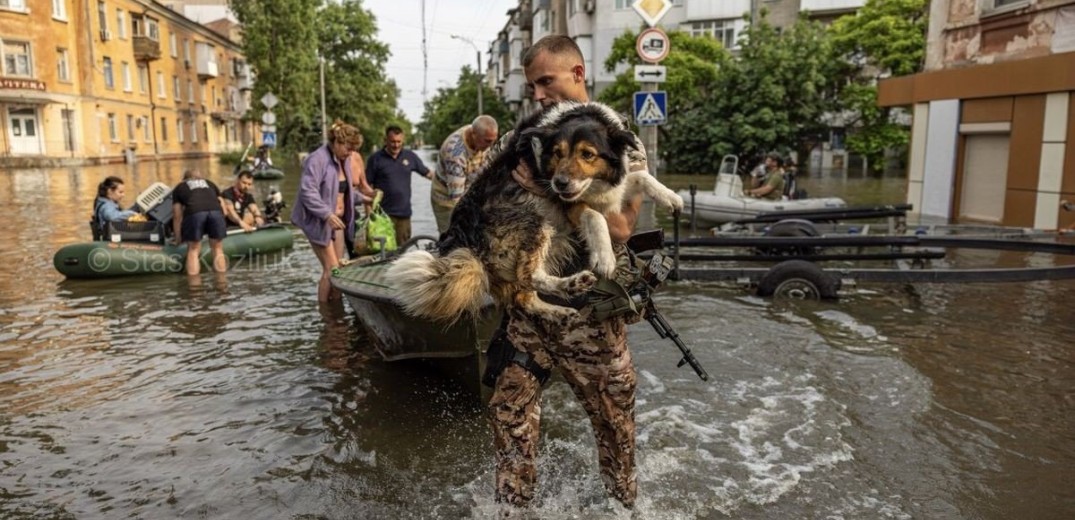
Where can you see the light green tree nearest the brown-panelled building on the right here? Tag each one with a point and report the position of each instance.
(885, 38)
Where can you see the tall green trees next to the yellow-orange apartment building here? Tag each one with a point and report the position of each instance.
(283, 39)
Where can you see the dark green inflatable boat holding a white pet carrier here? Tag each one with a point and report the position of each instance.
(109, 259)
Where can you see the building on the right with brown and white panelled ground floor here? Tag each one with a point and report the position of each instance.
(994, 129)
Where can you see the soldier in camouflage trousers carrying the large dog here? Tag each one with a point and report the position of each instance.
(592, 355)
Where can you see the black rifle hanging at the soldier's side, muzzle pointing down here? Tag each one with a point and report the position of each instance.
(656, 271)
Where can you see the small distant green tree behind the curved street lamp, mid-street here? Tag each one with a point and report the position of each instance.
(452, 108)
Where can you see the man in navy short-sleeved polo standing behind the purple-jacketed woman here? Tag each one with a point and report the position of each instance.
(390, 170)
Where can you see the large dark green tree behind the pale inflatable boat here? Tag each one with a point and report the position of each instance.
(771, 97)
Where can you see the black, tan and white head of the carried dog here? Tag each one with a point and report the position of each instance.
(581, 153)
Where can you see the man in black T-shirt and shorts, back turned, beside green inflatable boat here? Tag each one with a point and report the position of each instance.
(197, 211)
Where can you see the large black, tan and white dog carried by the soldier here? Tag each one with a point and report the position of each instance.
(509, 243)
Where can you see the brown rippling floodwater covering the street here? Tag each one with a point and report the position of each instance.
(237, 397)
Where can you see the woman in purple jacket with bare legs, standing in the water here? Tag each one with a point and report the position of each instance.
(325, 210)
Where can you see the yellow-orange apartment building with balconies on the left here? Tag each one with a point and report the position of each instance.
(106, 81)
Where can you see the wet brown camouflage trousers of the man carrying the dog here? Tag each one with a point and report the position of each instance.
(594, 359)
